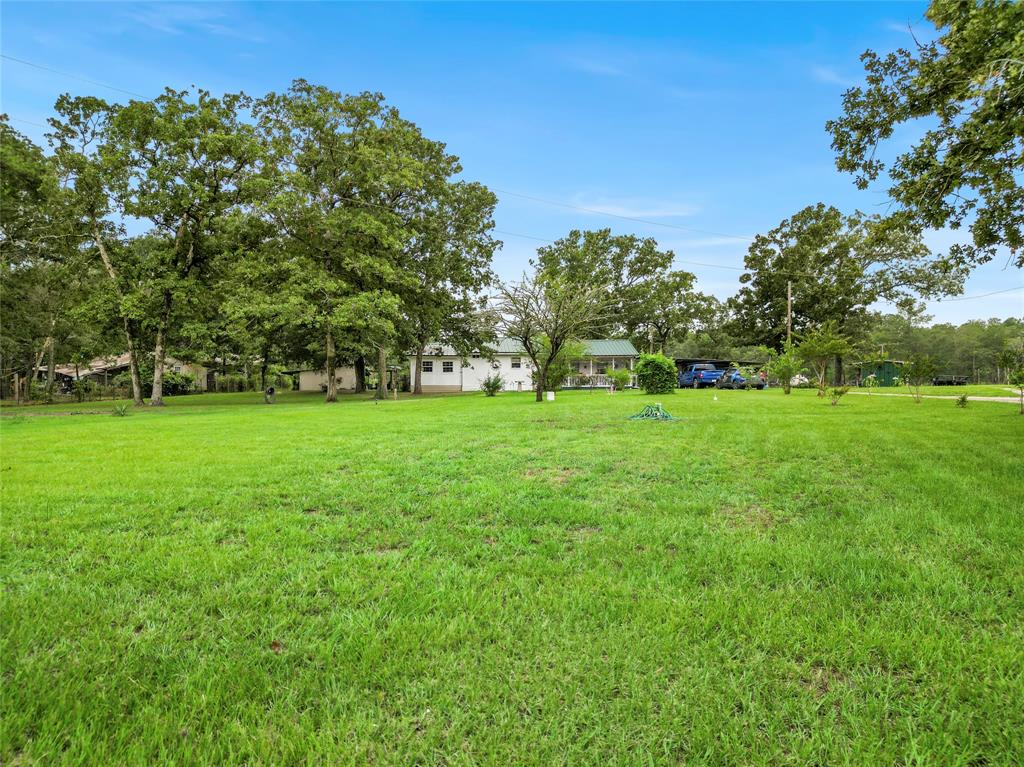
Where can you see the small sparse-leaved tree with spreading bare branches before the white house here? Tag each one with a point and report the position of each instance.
(546, 314)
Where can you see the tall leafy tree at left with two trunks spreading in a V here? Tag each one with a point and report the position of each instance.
(181, 162)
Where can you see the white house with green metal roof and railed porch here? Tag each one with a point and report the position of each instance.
(445, 370)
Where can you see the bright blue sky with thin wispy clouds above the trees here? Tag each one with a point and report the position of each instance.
(706, 120)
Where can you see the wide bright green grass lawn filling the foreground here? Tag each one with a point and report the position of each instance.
(461, 580)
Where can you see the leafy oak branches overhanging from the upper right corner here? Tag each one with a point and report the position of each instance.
(966, 88)
